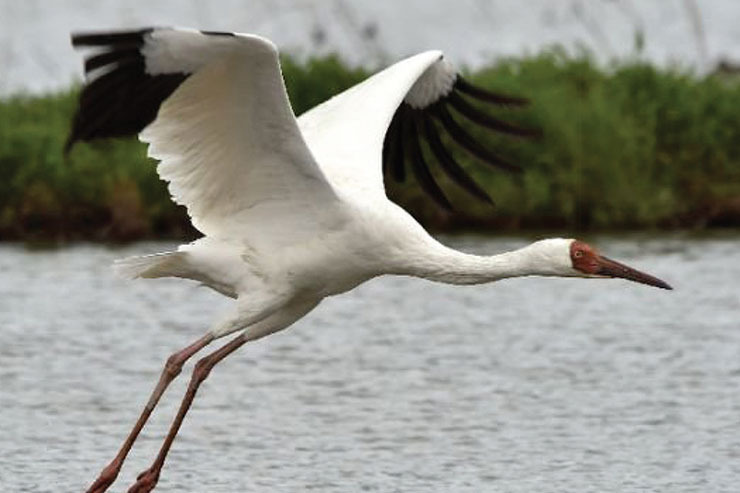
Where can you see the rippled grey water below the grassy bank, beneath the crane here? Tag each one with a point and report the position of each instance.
(532, 385)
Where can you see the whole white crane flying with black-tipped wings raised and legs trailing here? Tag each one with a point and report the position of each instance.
(293, 210)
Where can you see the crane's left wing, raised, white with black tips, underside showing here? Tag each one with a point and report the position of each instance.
(214, 110)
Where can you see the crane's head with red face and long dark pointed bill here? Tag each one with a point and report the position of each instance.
(575, 258)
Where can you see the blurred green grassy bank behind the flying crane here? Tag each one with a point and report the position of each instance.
(631, 147)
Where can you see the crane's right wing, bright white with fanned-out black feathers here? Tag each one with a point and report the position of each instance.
(378, 127)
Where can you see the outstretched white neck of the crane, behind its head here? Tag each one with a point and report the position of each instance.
(443, 264)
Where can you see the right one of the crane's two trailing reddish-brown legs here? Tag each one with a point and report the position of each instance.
(148, 479)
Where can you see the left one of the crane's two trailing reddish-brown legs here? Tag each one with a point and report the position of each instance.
(172, 368)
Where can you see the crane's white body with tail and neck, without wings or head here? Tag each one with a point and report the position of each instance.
(265, 273)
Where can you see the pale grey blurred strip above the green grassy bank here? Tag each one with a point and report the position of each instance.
(692, 34)
